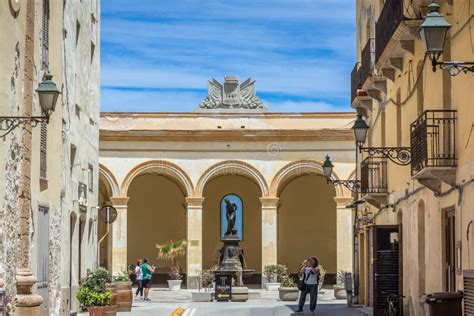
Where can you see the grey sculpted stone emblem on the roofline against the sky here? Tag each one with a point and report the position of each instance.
(231, 95)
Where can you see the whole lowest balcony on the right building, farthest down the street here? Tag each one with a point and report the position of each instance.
(374, 181)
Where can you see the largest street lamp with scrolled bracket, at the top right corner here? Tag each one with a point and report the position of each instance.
(433, 35)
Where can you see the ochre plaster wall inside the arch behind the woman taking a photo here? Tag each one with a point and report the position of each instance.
(307, 223)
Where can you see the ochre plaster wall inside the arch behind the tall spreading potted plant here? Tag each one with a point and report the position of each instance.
(156, 214)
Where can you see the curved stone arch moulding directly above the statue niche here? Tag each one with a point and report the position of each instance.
(233, 167)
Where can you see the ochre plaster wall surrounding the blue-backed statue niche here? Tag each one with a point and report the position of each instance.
(249, 192)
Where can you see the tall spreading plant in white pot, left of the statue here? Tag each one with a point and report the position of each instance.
(171, 251)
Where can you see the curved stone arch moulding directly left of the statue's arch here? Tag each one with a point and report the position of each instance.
(163, 168)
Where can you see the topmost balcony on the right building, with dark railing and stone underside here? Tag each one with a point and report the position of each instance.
(395, 30)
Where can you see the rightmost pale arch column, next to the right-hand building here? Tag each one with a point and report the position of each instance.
(344, 233)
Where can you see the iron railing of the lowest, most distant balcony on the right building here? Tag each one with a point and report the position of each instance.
(374, 175)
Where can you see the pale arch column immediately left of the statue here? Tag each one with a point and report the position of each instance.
(194, 237)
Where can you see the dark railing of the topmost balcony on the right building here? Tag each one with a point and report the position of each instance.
(387, 23)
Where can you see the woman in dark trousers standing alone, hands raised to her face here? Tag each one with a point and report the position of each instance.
(309, 283)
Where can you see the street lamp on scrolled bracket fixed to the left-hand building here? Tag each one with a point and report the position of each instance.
(48, 95)
